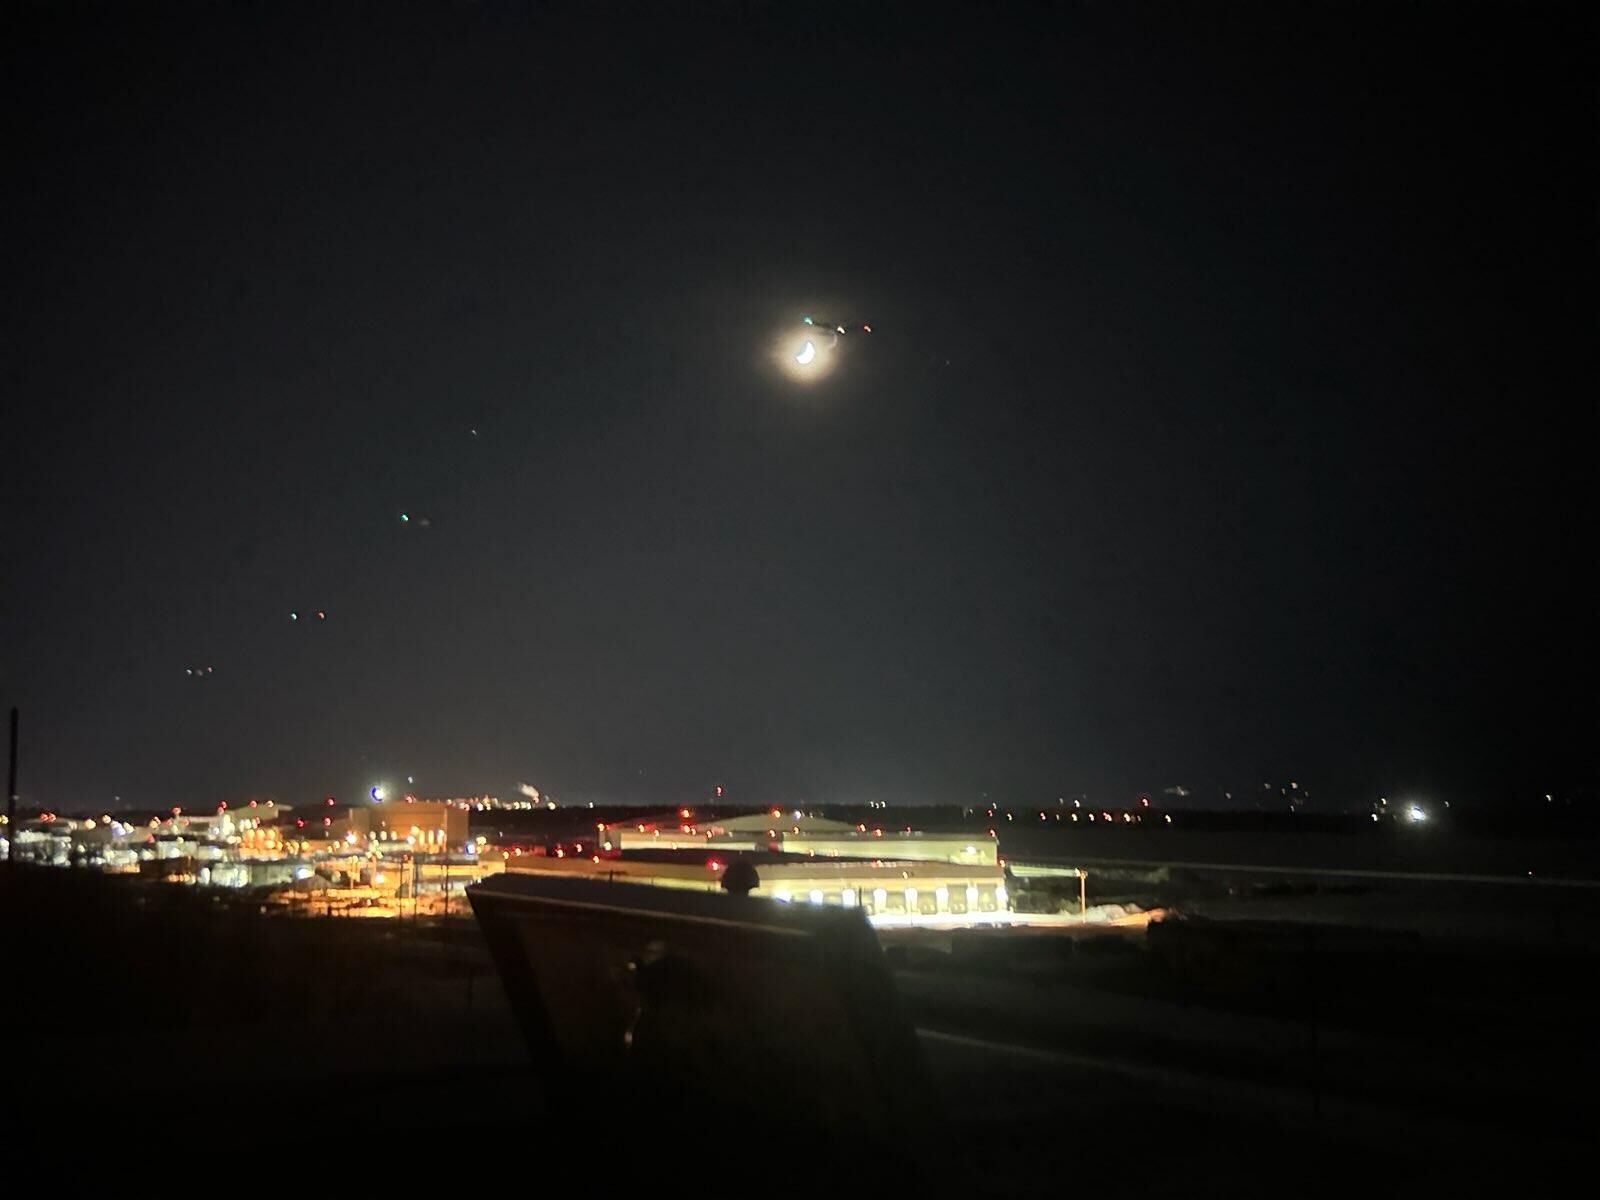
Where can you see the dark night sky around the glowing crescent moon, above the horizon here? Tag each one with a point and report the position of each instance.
(1230, 412)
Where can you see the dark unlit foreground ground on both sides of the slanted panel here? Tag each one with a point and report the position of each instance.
(1214, 1057)
